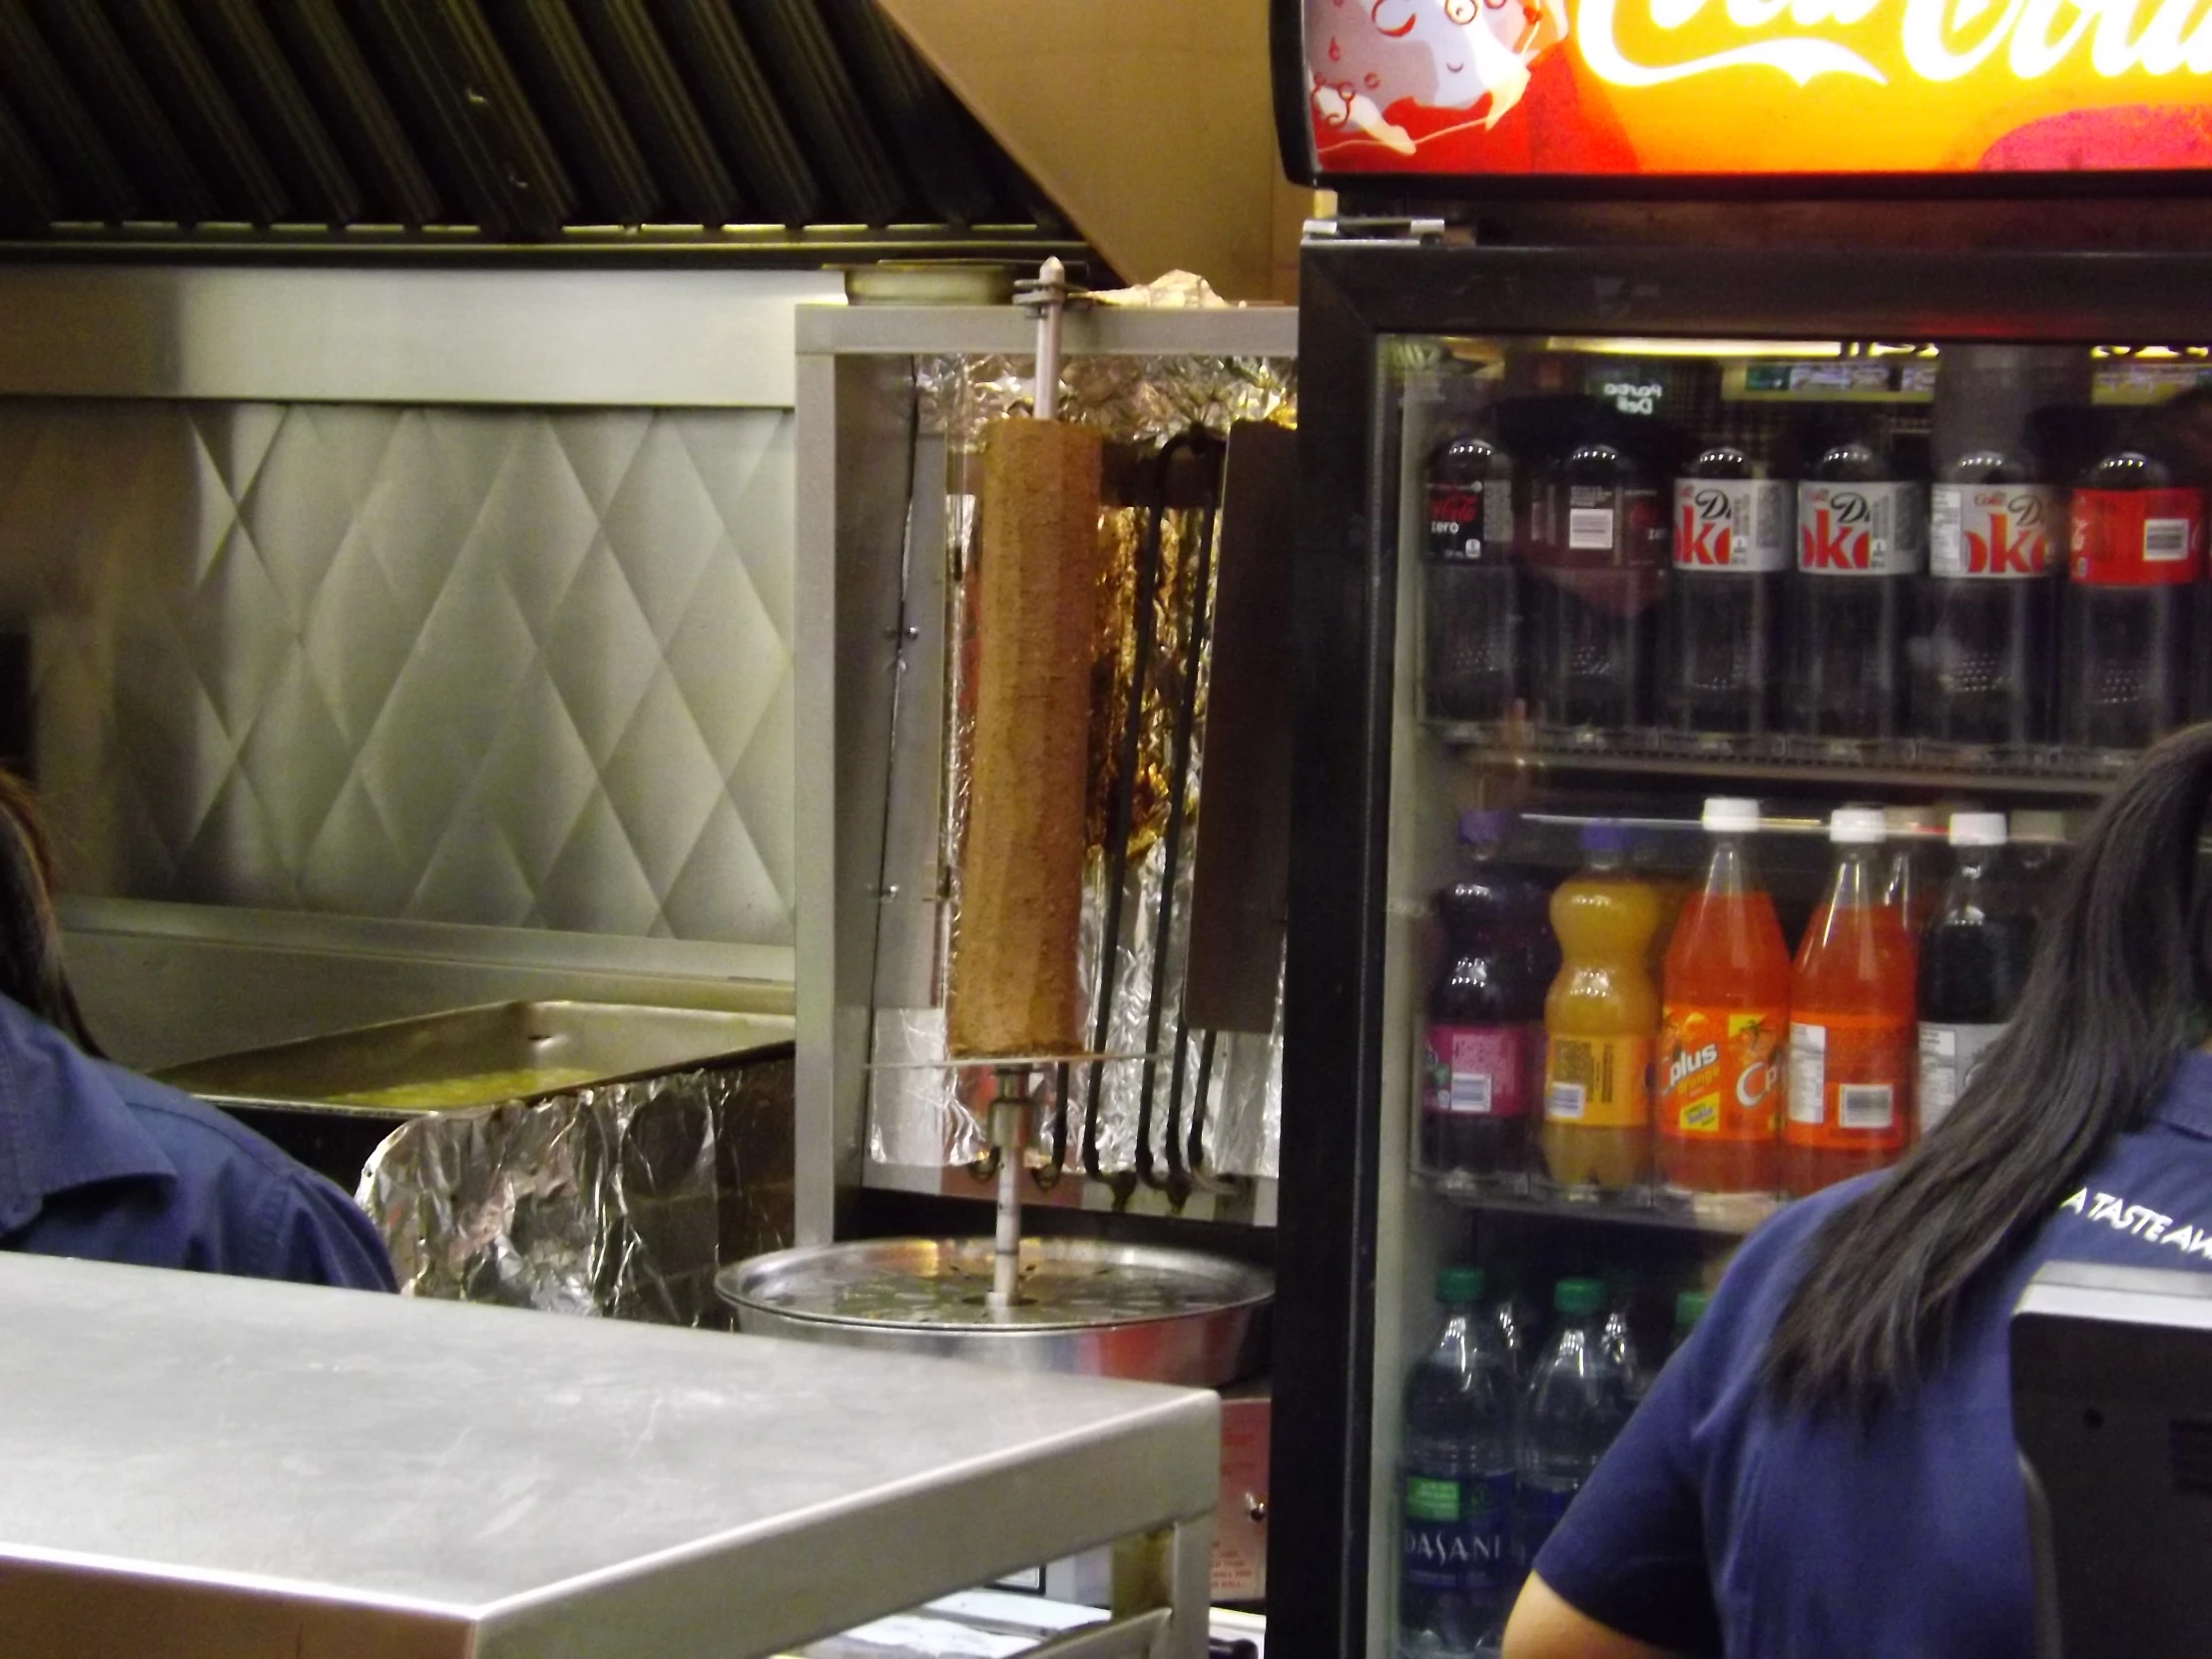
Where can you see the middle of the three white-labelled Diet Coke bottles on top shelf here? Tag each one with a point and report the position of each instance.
(1861, 545)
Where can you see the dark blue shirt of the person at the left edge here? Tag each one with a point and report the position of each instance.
(101, 1162)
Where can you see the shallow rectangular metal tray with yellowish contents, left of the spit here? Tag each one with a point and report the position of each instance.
(483, 1056)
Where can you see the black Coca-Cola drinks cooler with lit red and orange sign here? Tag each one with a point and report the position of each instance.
(1753, 505)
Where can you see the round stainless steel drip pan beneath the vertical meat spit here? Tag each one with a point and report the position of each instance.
(1089, 1306)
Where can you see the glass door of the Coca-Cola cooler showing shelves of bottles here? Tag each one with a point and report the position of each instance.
(1932, 578)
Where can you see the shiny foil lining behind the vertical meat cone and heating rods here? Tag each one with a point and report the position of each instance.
(924, 1112)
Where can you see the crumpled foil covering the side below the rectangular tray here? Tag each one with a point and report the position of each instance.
(618, 1202)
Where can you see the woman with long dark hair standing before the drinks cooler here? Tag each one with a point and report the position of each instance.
(1828, 1468)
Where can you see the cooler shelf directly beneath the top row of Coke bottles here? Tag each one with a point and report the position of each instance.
(1791, 760)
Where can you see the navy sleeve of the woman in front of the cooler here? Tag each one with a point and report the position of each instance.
(1631, 1550)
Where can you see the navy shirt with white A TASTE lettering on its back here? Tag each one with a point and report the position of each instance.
(1720, 1525)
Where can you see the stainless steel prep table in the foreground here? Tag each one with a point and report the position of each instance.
(200, 1468)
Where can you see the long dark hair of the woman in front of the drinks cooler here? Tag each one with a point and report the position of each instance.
(2116, 997)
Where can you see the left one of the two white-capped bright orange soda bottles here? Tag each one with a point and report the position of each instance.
(1724, 1016)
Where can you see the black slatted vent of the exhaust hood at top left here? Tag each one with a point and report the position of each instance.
(492, 123)
